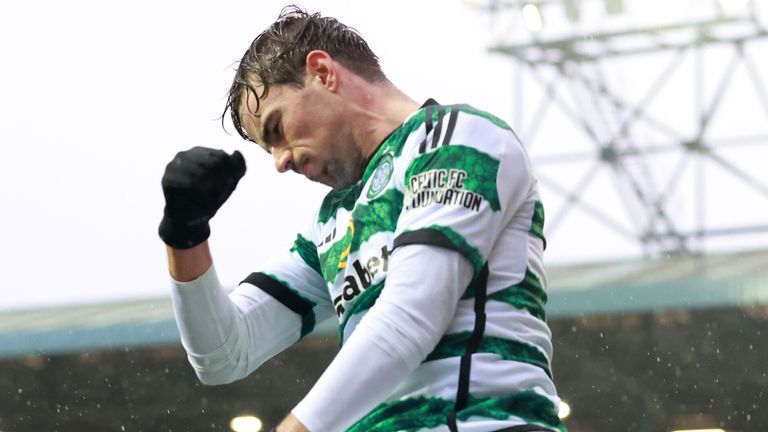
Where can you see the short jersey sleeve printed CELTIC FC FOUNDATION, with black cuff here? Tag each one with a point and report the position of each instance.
(462, 194)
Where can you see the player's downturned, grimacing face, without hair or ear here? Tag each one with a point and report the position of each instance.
(306, 131)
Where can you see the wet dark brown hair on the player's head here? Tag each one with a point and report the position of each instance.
(278, 56)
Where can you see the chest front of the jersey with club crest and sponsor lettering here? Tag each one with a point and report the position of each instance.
(355, 235)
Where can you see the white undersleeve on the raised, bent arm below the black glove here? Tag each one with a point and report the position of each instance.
(228, 336)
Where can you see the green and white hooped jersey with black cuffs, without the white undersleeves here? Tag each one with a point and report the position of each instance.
(455, 177)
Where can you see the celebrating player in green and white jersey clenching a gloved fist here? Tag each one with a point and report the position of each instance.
(428, 249)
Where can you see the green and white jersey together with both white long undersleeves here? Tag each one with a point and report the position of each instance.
(432, 265)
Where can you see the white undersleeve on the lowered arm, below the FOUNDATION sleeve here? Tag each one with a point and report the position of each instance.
(410, 316)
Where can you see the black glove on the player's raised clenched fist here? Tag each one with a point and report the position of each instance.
(195, 184)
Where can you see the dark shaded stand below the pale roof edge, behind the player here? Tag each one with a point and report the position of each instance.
(641, 372)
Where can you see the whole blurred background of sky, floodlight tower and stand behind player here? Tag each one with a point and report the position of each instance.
(646, 122)
